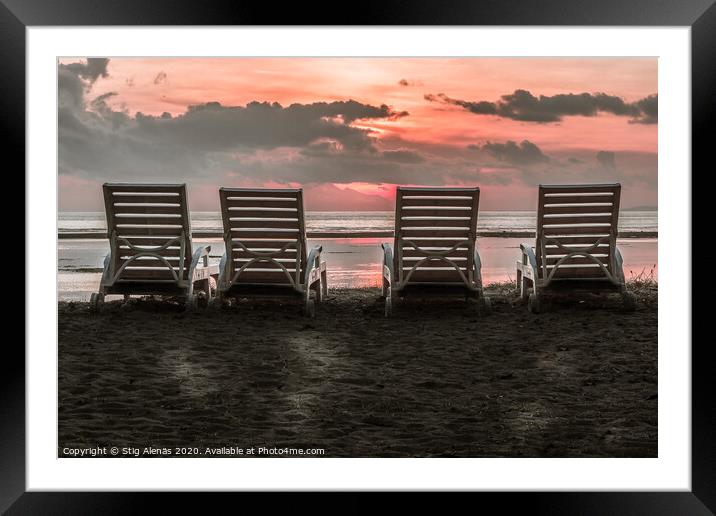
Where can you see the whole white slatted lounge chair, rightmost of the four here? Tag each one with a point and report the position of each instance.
(576, 244)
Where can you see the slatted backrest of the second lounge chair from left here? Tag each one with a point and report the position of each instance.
(264, 222)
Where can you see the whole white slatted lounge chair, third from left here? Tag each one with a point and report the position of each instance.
(434, 247)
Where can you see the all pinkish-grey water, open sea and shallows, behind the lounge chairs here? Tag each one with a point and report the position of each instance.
(352, 262)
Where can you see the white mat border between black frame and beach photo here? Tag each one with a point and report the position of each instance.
(672, 468)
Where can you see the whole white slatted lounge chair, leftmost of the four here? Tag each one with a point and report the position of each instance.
(150, 245)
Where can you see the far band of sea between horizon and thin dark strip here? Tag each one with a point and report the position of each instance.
(350, 222)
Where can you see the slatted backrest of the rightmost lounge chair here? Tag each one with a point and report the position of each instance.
(579, 219)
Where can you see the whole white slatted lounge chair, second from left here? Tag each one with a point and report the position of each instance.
(266, 248)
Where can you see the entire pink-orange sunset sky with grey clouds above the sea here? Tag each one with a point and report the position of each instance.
(348, 130)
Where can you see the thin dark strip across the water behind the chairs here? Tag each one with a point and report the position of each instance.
(101, 235)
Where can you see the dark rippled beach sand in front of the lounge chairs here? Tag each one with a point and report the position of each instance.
(435, 380)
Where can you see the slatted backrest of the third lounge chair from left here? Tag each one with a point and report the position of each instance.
(431, 222)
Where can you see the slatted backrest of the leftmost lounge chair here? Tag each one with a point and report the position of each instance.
(148, 224)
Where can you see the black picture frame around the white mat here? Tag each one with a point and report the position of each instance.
(700, 15)
